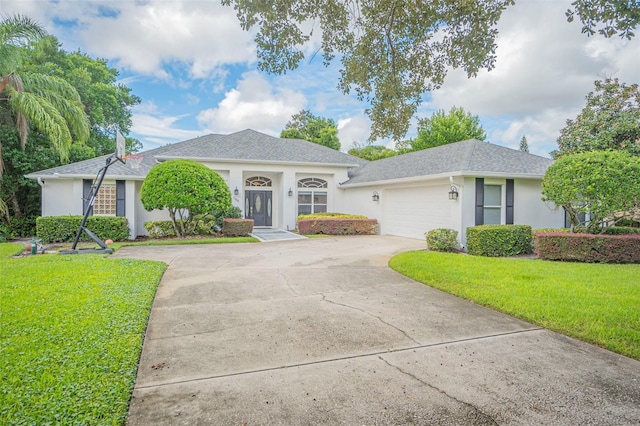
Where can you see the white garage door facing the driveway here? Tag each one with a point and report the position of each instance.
(410, 212)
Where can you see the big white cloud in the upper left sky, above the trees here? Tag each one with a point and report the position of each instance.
(150, 37)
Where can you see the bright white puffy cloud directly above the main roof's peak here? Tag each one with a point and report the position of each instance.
(254, 104)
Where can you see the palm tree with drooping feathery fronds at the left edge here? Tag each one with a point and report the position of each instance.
(49, 104)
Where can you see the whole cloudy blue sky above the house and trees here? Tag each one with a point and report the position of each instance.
(195, 70)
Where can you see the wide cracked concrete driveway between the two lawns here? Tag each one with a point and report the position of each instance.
(321, 331)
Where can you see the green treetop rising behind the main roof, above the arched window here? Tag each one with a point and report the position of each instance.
(309, 127)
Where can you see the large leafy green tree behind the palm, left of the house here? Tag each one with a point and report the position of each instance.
(107, 104)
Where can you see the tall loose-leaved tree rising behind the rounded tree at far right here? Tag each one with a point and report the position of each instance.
(609, 121)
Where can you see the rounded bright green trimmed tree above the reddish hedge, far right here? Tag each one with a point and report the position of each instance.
(597, 183)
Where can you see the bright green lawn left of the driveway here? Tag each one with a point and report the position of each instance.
(71, 336)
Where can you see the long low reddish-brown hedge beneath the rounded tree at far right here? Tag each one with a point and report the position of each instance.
(588, 248)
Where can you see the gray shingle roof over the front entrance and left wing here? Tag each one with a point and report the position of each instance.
(247, 145)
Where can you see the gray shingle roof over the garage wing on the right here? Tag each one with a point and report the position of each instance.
(471, 158)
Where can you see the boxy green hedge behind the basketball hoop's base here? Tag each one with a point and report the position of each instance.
(56, 229)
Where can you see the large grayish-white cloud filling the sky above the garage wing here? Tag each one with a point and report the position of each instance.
(545, 68)
